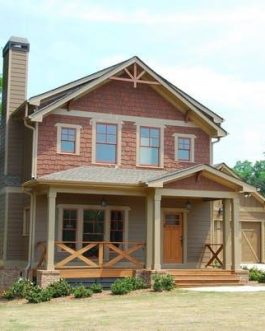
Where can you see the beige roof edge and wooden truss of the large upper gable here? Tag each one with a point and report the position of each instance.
(136, 72)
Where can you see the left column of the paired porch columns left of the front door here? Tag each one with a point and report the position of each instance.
(149, 231)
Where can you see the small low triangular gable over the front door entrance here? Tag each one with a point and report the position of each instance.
(202, 177)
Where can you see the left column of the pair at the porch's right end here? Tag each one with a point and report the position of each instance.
(226, 234)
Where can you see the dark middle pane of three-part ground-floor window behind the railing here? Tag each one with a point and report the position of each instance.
(93, 228)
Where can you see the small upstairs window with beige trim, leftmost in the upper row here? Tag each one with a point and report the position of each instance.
(68, 138)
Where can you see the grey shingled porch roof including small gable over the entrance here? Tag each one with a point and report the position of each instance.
(98, 175)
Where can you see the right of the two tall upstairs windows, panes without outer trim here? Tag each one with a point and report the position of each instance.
(149, 146)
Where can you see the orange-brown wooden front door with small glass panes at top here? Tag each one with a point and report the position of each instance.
(173, 237)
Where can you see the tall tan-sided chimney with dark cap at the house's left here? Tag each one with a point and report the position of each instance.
(15, 74)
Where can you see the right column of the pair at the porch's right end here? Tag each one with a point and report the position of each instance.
(235, 235)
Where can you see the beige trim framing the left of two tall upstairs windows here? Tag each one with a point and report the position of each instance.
(94, 123)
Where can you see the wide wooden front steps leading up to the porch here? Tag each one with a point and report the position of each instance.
(206, 277)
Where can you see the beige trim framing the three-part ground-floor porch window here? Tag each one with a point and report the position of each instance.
(80, 217)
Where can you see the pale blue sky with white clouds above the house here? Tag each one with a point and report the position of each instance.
(213, 50)
